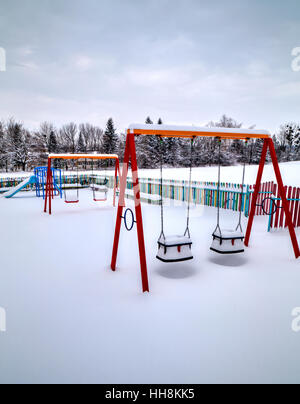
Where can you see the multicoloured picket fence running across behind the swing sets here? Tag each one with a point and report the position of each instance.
(232, 196)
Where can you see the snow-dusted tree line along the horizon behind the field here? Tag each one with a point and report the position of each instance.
(22, 149)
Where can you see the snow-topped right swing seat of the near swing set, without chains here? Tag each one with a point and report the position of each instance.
(228, 242)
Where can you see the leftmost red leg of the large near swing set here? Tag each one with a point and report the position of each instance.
(120, 206)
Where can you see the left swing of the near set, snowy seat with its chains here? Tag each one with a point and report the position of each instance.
(175, 248)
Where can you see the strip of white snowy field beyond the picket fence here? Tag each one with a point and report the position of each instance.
(290, 173)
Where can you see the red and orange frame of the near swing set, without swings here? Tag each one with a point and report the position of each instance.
(190, 133)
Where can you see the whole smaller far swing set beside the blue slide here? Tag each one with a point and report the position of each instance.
(99, 191)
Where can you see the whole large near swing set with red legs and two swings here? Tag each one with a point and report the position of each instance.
(178, 248)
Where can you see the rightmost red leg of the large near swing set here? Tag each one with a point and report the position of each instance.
(285, 203)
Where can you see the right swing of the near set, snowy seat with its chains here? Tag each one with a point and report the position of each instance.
(229, 241)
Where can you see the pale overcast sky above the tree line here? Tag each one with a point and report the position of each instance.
(186, 61)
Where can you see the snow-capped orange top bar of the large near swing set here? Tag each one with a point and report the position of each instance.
(193, 131)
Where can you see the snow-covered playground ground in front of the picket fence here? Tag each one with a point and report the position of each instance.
(71, 319)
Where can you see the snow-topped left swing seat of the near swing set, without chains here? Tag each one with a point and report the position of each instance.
(174, 249)
